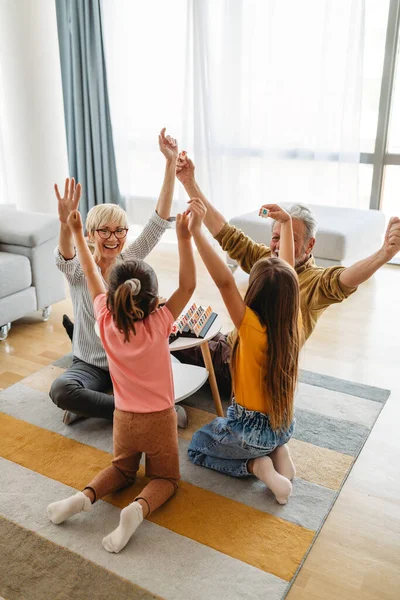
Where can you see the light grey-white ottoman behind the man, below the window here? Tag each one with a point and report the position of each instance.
(344, 235)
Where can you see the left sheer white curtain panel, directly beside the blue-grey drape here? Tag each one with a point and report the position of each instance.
(145, 47)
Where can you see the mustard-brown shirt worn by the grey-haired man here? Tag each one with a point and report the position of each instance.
(319, 287)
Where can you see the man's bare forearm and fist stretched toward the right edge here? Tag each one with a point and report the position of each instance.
(364, 269)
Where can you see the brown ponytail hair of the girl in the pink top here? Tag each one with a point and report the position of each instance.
(132, 294)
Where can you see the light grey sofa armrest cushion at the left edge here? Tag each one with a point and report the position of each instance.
(24, 228)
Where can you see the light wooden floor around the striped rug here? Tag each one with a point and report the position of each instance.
(357, 554)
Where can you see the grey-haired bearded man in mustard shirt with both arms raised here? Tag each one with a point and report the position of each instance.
(319, 287)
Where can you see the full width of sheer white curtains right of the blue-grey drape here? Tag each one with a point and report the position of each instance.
(264, 94)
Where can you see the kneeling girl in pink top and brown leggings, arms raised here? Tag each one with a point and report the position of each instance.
(134, 333)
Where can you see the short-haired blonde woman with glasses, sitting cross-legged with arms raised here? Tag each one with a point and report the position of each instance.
(83, 389)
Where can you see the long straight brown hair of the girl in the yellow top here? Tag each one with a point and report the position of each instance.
(273, 294)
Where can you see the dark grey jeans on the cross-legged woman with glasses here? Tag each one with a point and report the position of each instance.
(82, 390)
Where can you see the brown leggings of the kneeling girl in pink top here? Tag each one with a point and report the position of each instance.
(156, 435)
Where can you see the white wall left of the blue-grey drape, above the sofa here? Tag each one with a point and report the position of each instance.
(31, 107)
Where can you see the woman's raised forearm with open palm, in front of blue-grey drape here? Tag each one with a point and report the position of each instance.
(66, 204)
